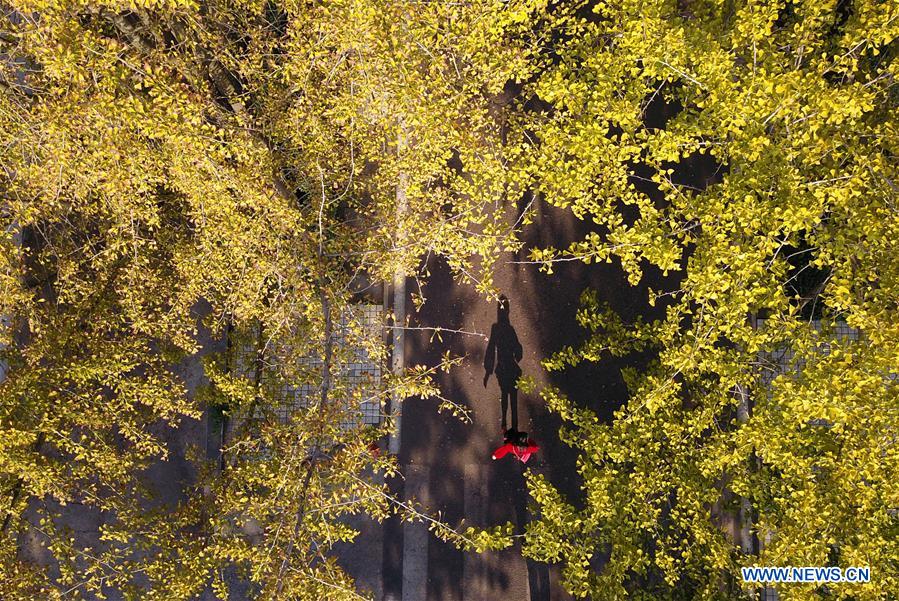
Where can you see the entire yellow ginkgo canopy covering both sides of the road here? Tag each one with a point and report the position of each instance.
(176, 173)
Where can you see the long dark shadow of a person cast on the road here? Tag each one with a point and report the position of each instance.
(502, 357)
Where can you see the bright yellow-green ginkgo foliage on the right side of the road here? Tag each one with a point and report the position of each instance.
(770, 189)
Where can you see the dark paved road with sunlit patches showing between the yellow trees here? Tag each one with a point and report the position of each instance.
(447, 463)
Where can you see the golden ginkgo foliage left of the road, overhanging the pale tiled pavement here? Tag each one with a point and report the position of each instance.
(175, 168)
